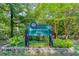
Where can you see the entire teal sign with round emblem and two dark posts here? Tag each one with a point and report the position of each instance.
(38, 30)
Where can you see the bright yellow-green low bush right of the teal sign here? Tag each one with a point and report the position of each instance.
(63, 43)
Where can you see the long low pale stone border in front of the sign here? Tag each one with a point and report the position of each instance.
(37, 51)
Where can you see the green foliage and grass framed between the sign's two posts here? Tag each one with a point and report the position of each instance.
(39, 41)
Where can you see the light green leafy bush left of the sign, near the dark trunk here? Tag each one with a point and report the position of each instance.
(15, 41)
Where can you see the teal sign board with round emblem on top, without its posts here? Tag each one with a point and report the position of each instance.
(39, 30)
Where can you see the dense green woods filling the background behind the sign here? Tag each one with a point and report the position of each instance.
(64, 19)
